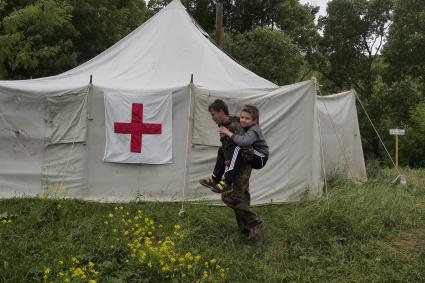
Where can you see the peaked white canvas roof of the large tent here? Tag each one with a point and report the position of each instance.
(161, 53)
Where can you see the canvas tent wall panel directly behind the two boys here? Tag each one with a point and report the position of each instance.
(289, 123)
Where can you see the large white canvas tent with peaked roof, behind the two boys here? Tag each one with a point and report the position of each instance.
(52, 130)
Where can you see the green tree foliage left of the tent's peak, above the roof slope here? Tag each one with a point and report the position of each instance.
(46, 37)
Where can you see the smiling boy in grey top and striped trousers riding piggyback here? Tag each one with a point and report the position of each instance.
(252, 136)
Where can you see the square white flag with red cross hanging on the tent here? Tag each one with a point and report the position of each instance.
(138, 128)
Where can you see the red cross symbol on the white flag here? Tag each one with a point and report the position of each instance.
(137, 128)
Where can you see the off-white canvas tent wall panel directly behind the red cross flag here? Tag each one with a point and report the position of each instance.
(124, 182)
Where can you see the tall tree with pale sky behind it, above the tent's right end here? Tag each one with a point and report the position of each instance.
(353, 34)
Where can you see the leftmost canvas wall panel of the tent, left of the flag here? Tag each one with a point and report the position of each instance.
(32, 126)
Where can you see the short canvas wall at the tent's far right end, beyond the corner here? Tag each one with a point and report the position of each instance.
(340, 136)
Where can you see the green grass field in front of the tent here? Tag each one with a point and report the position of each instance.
(356, 233)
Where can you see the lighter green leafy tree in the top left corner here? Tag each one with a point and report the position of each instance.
(37, 40)
